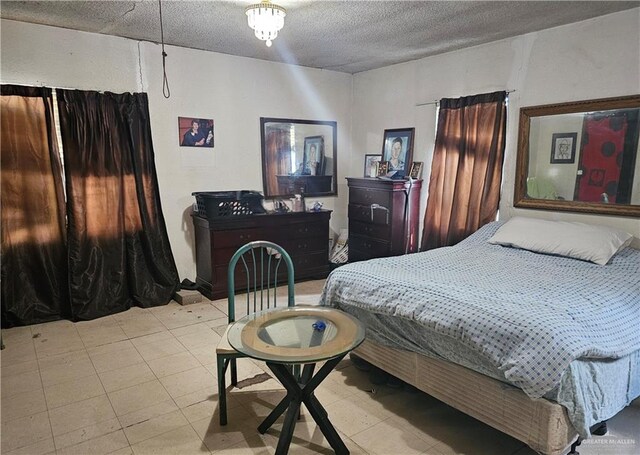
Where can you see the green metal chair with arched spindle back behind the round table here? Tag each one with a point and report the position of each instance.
(258, 267)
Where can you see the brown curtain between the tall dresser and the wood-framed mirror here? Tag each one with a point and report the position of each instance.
(466, 171)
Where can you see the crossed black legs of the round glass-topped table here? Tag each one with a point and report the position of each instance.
(303, 393)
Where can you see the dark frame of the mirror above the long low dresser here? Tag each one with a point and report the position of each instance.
(333, 141)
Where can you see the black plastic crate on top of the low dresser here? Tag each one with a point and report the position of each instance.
(216, 204)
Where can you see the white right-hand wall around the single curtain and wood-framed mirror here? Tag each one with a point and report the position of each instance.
(597, 58)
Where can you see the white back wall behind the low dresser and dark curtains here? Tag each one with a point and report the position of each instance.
(234, 91)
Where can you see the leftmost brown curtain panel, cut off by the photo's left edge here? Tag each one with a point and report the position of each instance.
(34, 272)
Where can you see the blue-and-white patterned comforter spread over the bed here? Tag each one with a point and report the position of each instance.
(522, 315)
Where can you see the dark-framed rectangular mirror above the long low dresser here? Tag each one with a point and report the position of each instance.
(298, 157)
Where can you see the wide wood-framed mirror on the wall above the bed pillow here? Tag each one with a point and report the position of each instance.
(580, 157)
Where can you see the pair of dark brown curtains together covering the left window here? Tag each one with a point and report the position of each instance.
(106, 247)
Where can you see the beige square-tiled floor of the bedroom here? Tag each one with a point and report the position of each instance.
(143, 382)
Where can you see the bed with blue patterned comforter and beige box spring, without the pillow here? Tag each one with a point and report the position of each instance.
(541, 347)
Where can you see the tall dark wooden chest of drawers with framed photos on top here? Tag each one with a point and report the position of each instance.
(383, 217)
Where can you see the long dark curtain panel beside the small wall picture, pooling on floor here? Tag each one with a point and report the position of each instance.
(119, 252)
